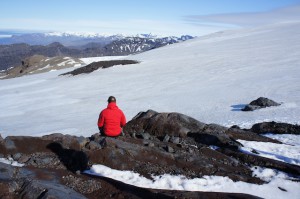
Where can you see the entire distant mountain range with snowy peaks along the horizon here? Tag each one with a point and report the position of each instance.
(15, 48)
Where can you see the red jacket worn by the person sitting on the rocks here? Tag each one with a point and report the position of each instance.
(111, 120)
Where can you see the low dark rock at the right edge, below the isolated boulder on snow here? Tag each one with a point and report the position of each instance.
(276, 128)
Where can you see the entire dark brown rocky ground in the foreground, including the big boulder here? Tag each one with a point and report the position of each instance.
(154, 143)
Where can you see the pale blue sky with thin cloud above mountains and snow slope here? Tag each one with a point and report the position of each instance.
(162, 17)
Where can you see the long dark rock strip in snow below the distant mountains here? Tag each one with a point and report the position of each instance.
(101, 64)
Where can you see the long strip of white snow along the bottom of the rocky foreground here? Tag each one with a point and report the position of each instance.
(208, 183)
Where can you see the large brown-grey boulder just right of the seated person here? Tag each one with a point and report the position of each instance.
(176, 124)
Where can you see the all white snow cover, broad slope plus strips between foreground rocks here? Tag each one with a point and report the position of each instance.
(209, 78)
